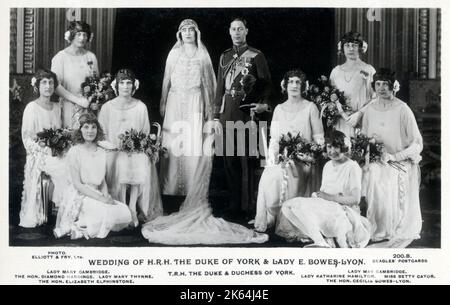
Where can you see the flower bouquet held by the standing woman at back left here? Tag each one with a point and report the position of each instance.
(98, 90)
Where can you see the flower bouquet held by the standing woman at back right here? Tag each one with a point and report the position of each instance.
(325, 96)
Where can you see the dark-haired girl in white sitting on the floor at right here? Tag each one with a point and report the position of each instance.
(332, 212)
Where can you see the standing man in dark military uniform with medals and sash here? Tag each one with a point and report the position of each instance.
(243, 90)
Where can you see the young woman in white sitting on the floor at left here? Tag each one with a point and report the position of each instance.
(87, 208)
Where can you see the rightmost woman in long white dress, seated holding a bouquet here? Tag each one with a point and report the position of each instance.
(393, 195)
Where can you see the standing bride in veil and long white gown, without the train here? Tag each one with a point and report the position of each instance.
(186, 103)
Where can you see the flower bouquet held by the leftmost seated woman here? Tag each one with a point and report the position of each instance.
(58, 140)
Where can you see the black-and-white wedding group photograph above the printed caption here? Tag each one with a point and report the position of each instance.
(224, 127)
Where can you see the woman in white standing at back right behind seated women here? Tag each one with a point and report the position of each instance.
(354, 77)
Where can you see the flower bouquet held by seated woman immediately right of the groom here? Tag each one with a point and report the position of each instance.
(297, 149)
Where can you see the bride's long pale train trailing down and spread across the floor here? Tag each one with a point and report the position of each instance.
(195, 223)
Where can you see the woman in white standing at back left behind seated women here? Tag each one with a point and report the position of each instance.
(72, 65)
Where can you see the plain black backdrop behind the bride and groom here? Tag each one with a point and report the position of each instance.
(288, 37)
